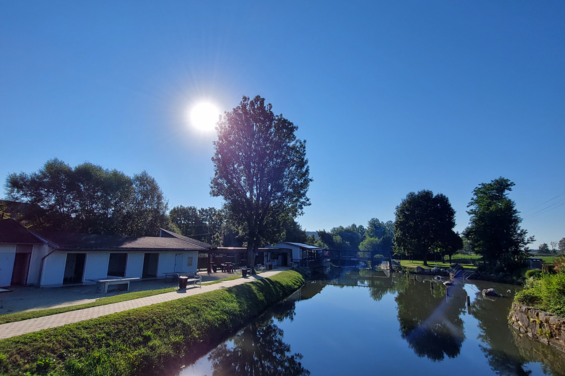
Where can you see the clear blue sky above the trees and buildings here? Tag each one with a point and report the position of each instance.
(392, 97)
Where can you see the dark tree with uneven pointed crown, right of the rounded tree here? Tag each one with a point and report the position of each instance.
(494, 224)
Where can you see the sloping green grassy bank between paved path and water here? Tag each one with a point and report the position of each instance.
(147, 340)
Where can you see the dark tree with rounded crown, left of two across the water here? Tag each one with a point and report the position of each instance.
(424, 222)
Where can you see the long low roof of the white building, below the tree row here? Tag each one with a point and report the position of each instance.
(91, 242)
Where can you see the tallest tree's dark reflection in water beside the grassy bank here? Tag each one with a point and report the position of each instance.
(259, 349)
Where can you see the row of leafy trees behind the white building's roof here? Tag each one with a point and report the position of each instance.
(89, 199)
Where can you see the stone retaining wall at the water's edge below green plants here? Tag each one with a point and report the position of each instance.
(539, 325)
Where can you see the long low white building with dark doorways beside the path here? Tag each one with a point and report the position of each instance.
(47, 258)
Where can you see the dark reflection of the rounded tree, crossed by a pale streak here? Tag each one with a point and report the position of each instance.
(429, 321)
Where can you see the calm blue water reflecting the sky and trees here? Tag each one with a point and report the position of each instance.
(364, 323)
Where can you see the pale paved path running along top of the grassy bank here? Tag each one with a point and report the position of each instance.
(33, 325)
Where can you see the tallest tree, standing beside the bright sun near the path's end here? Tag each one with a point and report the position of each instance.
(261, 170)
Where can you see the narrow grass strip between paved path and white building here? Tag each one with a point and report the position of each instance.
(19, 316)
